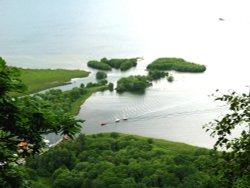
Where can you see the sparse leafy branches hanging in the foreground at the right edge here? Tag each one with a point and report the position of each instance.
(237, 145)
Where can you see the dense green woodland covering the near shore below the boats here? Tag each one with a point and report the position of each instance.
(117, 160)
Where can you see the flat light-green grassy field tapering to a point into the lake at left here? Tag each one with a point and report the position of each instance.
(41, 79)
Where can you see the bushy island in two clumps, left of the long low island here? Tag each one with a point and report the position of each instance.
(105, 64)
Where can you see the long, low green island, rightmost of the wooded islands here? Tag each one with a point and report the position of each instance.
(176, 64)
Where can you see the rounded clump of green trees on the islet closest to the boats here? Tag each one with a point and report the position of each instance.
(133, 84)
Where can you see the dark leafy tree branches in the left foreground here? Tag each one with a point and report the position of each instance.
(23, 122)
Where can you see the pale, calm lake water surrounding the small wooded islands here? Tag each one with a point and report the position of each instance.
(66, 34)
